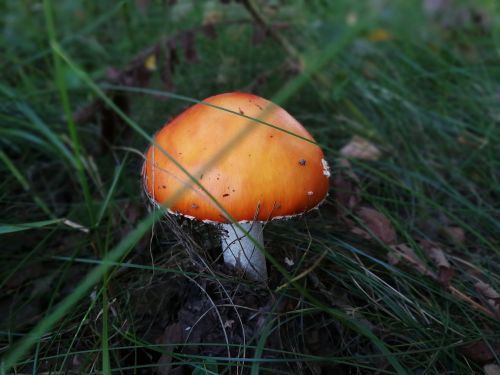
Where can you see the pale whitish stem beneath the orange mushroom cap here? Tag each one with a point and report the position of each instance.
(241, 252)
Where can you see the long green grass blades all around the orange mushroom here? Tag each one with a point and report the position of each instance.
(81, 252)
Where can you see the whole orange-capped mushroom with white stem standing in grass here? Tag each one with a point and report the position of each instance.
(252, 156)
